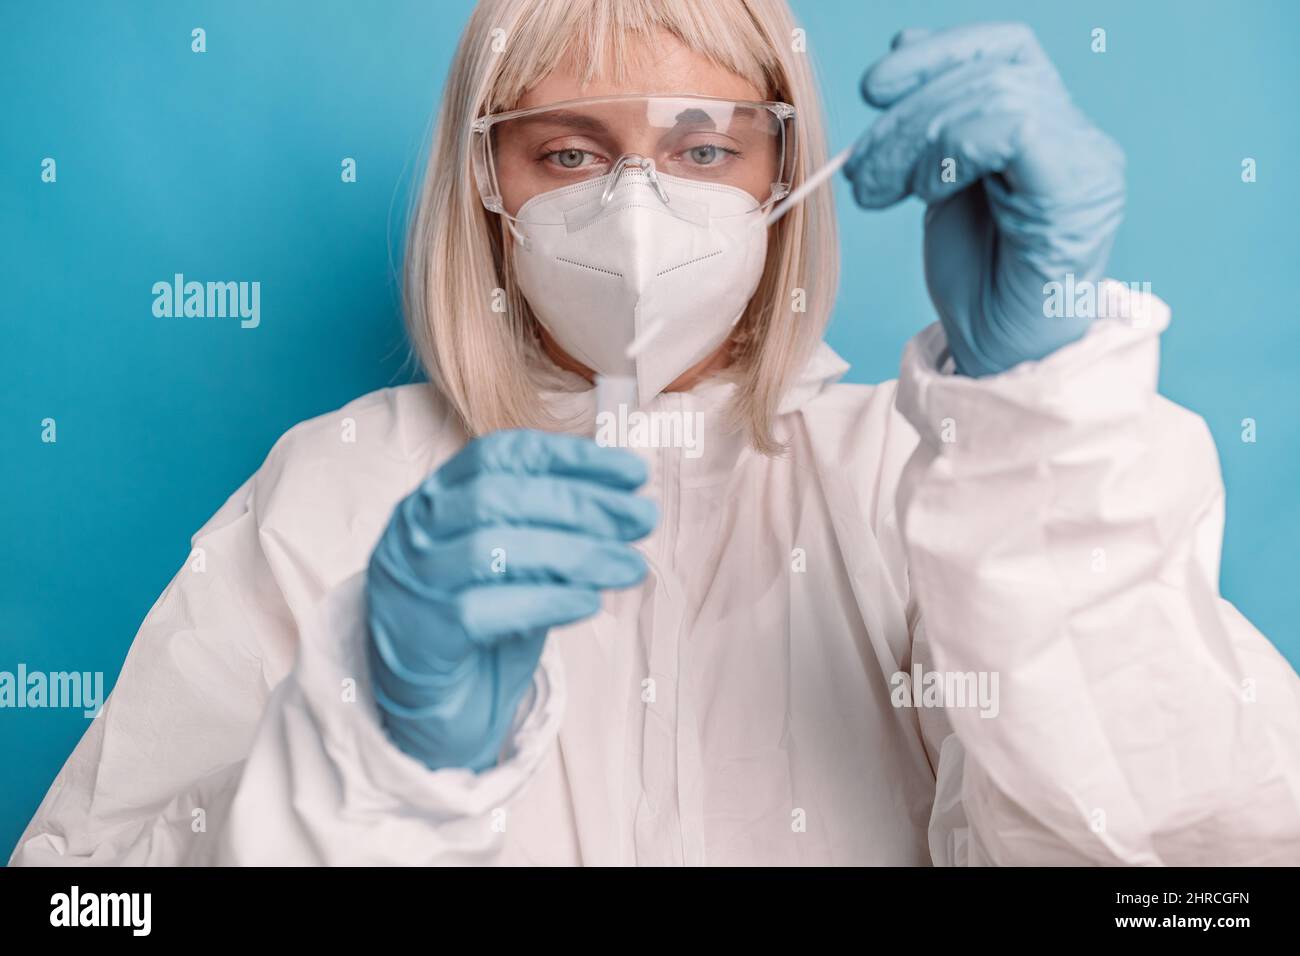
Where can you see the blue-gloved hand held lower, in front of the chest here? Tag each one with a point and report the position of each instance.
(514, 535)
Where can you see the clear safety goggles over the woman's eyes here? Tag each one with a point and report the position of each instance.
(526, 154)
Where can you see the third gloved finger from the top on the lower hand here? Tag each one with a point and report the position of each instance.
(502, 555)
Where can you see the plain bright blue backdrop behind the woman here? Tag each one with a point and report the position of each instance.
(226, 166)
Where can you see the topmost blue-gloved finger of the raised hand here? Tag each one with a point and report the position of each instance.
(913, 64)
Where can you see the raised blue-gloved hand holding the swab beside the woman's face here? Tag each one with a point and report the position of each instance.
(1039, 192)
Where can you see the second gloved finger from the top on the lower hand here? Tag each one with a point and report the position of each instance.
(540, 501)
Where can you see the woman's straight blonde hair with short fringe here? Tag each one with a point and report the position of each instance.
(457, 252)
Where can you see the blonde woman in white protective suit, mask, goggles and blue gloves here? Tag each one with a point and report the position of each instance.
(445, 626)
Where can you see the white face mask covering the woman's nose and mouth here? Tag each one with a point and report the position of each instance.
(599, 270)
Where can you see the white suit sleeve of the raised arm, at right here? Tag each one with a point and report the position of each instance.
(1063, 527)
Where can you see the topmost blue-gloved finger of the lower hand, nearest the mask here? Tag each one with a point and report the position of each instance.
(530, 452)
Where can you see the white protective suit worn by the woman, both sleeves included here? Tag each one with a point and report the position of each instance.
(1058, 525)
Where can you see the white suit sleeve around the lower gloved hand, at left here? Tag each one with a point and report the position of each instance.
(241, 732)
